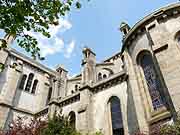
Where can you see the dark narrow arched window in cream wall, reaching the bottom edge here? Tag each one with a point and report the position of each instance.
(116, 116)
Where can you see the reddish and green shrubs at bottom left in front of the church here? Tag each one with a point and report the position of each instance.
(58, 125)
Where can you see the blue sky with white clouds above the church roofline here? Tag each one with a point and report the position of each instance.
(95, 25)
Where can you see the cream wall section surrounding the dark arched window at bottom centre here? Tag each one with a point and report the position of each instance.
(101, 112)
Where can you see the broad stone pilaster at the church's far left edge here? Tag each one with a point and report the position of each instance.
(9, 92)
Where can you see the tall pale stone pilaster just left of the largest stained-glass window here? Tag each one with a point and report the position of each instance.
(135, 96)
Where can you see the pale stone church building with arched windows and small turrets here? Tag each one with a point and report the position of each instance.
(132, 90)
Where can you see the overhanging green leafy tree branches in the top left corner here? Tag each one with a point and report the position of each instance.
(19, 16)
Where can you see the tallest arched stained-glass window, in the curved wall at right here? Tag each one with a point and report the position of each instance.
(152, 80)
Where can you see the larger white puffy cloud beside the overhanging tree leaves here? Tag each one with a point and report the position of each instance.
(54, 44)
